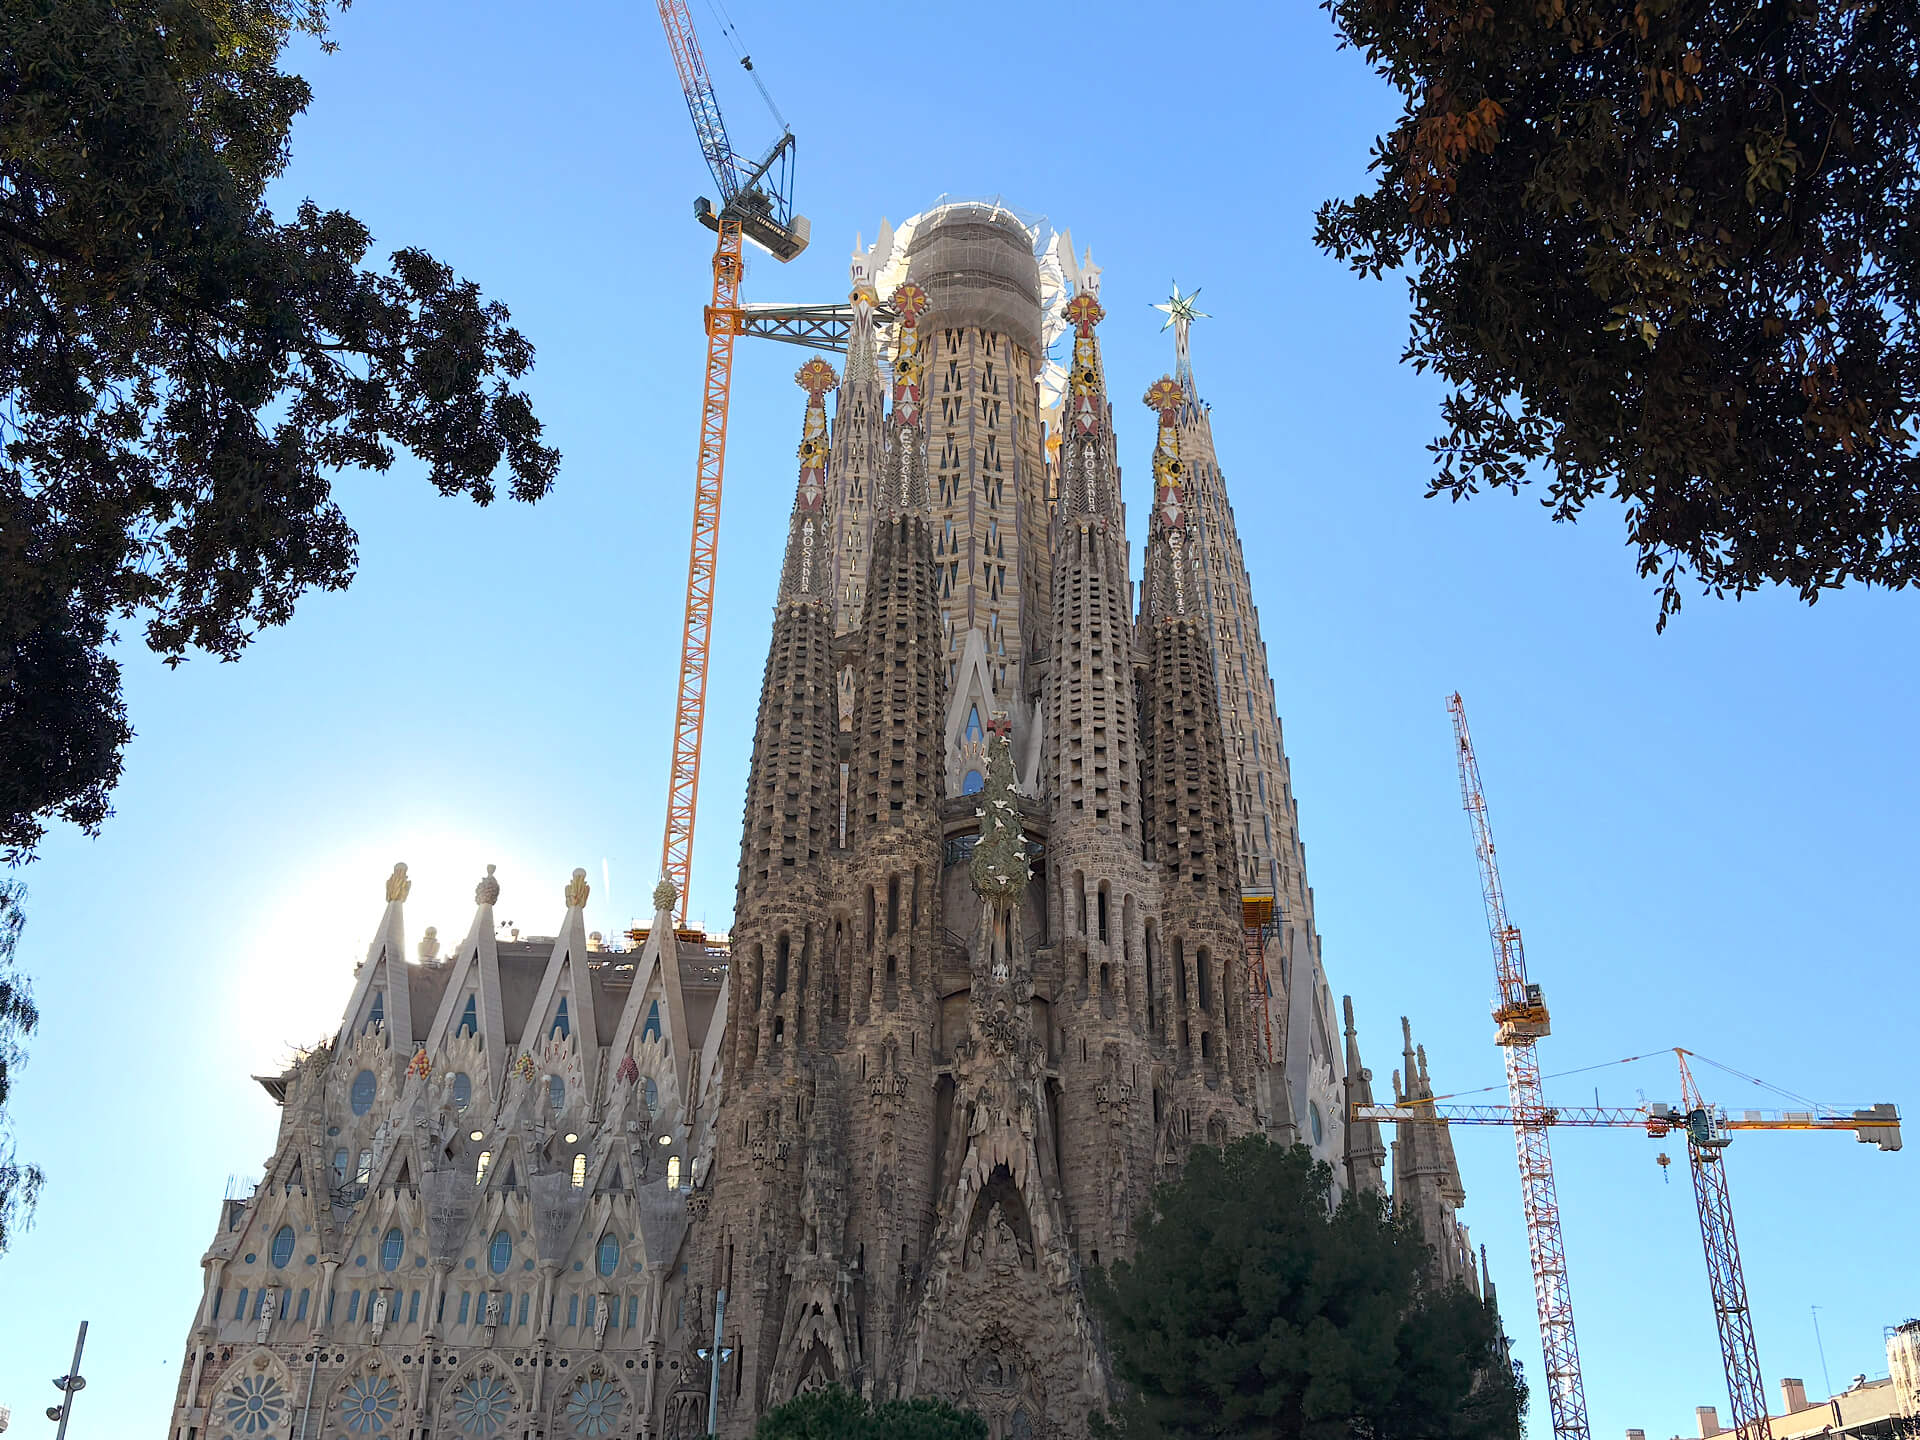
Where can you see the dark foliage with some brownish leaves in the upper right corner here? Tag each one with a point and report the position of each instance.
(1664, 251)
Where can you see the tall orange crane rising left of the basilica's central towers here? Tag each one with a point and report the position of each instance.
(756, 204)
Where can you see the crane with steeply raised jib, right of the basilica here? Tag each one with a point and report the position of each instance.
(1522, 1019)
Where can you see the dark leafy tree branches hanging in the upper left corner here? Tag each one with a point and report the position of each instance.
(183, 372)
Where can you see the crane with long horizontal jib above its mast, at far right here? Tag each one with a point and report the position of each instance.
(1708, 1134)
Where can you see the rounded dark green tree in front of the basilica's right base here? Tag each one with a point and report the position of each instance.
(1257, 1310)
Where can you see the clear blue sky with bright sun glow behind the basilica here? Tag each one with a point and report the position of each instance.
(1706, 834)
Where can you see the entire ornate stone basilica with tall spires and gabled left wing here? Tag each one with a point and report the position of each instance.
(1022, 917)
